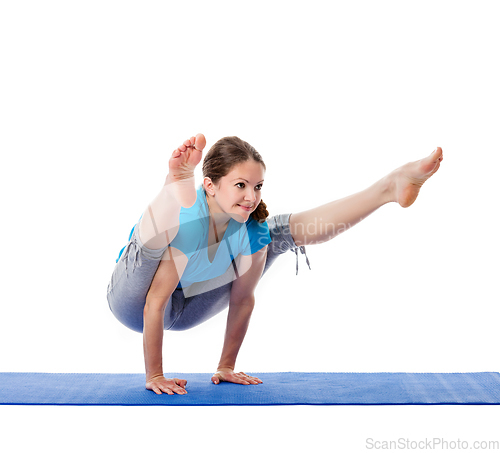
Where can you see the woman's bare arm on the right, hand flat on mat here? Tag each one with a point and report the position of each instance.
(241, 305)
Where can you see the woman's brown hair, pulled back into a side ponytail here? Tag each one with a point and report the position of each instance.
(223, 156)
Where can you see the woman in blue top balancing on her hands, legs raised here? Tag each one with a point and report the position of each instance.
(196, 251)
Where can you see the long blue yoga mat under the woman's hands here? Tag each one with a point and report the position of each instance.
(288, 388)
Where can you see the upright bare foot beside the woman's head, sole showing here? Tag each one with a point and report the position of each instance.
(181, 169)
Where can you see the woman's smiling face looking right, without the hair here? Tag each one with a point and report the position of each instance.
(239, 189)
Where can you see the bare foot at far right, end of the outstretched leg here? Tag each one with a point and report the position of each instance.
(408, 179)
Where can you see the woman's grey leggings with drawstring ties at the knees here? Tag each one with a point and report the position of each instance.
(137, 266)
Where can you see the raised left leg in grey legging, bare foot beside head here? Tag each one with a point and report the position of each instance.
(134, 272)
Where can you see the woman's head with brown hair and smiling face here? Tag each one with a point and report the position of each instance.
(233, 174)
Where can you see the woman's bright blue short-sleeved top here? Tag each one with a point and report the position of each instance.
(192, 239)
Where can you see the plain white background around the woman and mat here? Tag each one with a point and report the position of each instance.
(96, 95)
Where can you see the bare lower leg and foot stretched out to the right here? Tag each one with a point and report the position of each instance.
(323, 223)
